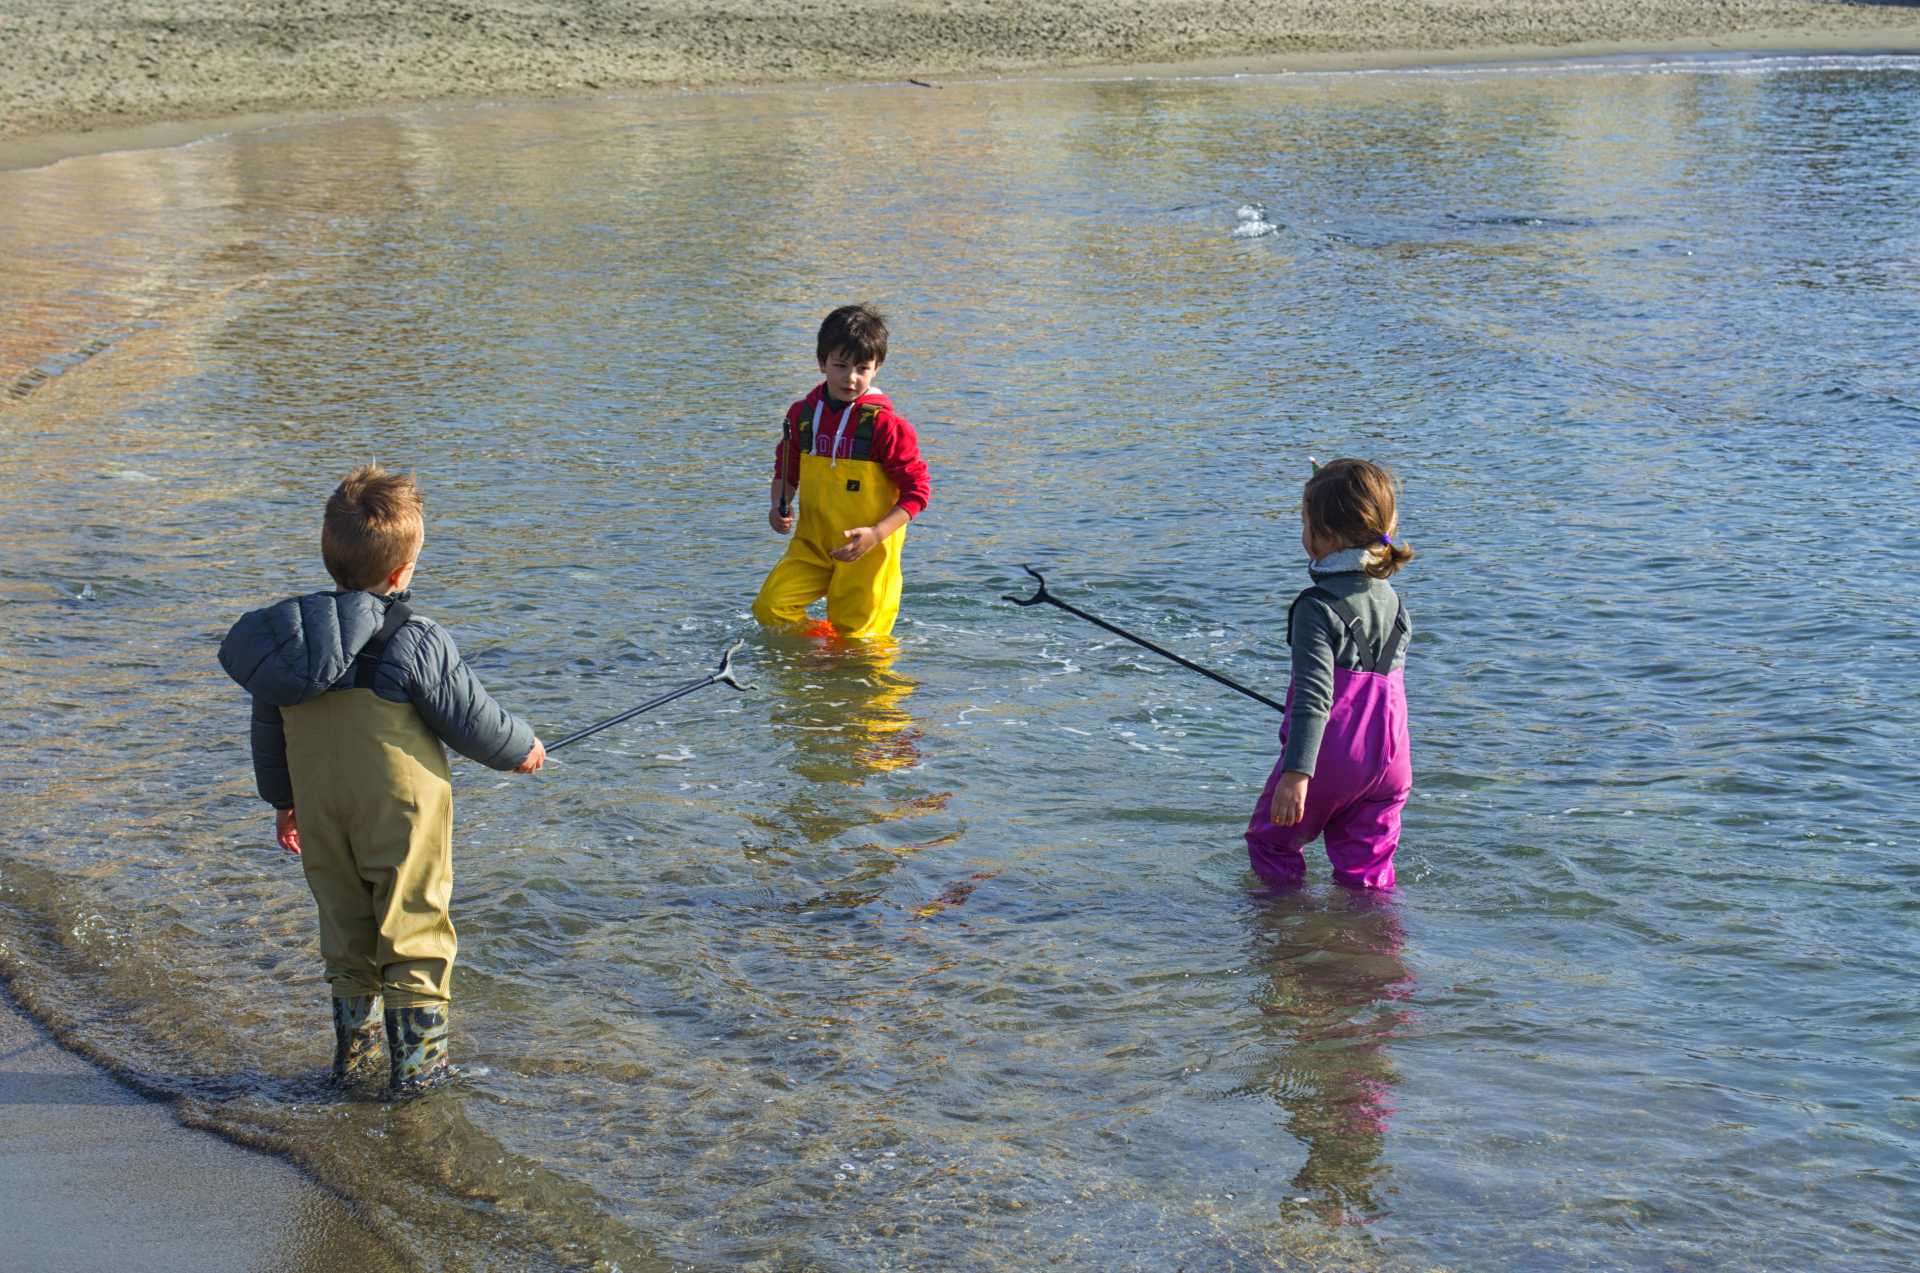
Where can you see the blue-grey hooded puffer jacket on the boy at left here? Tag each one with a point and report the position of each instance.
(300, 648)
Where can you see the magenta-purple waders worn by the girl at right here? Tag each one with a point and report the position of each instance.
(1360, 779)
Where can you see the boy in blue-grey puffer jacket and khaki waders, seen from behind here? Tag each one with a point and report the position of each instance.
(354, 696)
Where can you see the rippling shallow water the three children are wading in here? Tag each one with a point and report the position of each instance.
(944, 951)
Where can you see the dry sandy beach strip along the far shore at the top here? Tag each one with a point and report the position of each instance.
(93, 64)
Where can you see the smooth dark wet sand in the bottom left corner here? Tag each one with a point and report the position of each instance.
(99, 1178)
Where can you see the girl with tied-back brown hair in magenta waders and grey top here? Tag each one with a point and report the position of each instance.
(1345, 773)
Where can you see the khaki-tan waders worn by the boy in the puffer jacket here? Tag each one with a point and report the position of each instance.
(375, 807)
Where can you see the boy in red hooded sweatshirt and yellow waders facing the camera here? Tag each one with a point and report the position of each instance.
(857, 471)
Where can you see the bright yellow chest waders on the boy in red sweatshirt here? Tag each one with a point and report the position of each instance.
(838, 496)
